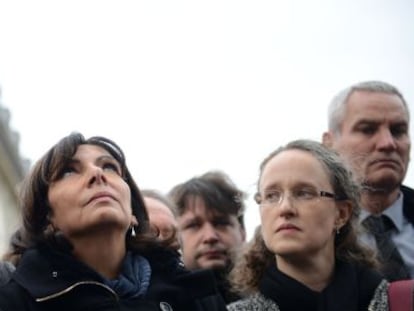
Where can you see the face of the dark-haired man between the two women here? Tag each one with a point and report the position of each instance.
(208, 239)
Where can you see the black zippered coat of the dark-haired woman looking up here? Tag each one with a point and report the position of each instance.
(49, 280)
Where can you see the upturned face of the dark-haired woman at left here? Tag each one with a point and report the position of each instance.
(90, 195)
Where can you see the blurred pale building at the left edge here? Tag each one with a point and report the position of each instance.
(12, 170)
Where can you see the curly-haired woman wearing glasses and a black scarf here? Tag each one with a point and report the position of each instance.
(305, 255)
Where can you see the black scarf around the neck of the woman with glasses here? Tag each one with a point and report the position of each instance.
(351, 289)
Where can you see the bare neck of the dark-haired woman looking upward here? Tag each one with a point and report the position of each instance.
(102, 253)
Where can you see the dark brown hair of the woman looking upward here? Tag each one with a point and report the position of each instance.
(35, 206)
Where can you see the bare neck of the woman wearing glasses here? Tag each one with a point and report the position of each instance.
(315, 273)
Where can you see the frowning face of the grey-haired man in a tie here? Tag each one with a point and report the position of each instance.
(375, 138)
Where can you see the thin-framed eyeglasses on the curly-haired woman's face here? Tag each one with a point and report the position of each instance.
(275, 197)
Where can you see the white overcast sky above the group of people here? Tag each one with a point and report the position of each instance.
(189, 86)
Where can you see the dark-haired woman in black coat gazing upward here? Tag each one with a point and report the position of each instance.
(87, 243)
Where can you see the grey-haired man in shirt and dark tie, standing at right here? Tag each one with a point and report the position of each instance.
(369, 126)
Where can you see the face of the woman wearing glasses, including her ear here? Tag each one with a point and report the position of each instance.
(302, 224)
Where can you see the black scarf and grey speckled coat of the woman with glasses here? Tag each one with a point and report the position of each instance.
(352, 289)
